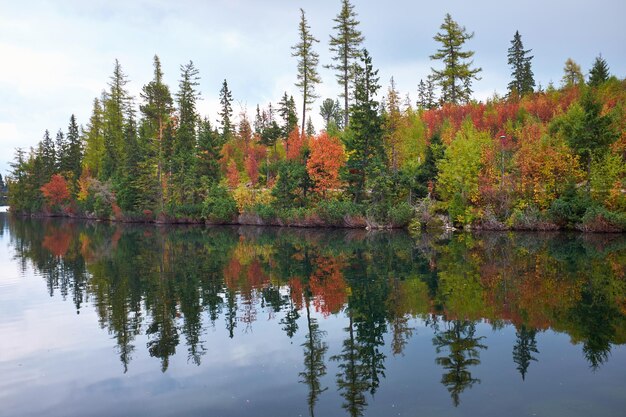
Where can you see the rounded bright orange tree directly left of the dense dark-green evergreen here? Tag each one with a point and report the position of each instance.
(326, 159)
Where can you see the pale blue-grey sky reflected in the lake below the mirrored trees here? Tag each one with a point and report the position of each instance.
(55, 362)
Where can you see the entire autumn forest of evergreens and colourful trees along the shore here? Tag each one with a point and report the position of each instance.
(534, 159)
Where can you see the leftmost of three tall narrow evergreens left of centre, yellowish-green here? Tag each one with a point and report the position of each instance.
(115, 104)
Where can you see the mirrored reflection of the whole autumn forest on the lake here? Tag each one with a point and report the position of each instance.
(172, 283)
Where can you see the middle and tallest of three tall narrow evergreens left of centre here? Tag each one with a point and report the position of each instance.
(157, 110)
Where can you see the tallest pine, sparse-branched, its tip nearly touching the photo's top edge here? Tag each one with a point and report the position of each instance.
(346, 46)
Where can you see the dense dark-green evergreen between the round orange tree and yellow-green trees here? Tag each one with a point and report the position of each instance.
(364, 145)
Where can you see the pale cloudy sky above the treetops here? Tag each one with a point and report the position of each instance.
(57, 56)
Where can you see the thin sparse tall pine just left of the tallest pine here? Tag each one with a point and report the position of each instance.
(308, 60)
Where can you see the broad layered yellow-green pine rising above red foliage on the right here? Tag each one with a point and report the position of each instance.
(455, 79)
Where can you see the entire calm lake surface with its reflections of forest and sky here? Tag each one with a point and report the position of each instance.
(122, 320)
